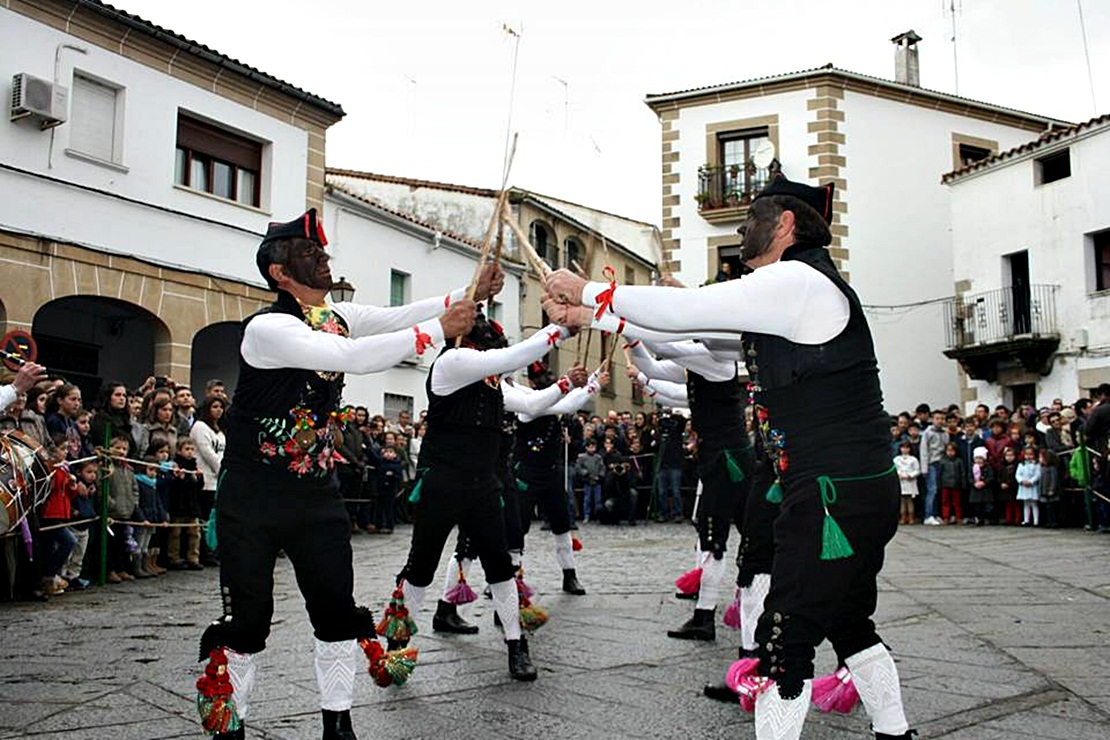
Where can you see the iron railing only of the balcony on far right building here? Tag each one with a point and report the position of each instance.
(1002, 317)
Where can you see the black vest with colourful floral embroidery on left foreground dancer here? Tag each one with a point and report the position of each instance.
(285, 419)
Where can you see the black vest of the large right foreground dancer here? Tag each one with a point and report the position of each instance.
(824, 399)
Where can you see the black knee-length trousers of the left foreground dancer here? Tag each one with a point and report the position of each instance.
(259, 514)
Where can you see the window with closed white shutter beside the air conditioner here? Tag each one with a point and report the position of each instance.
(97, 120)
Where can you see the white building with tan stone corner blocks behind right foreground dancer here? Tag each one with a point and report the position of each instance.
(885, 146)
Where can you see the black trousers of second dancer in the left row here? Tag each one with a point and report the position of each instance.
(473, 504)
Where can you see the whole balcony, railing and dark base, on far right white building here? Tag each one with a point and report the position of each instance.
(1012, 325)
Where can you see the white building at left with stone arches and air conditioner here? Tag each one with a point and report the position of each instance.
(138, 176)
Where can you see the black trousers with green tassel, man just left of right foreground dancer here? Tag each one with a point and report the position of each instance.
(723, 500)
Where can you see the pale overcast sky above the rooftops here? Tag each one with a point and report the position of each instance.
(426, 84)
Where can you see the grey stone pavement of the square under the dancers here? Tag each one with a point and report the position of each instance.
(1000, 633)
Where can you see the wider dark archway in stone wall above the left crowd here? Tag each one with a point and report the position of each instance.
(89, 340)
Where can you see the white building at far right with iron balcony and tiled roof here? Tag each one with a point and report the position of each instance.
(1032, 255)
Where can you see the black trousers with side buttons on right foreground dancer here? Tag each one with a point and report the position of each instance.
(813, 600)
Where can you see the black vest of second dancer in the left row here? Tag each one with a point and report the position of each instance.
(465, 429)
